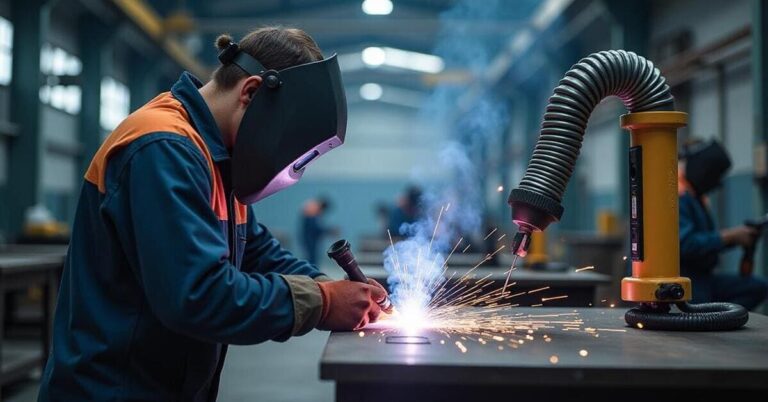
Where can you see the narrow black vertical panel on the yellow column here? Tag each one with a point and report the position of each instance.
(636, 203)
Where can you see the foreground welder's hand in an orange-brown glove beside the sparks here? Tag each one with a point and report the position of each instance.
(349, 305)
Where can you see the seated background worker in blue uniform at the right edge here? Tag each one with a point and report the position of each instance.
(701, 169)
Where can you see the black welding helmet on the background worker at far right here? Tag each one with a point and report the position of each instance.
(705, 165)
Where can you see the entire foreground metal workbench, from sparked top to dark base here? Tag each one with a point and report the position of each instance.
(601, 360)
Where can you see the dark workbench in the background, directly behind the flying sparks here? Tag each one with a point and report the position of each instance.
(581, 287)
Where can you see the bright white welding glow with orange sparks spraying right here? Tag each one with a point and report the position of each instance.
(427, 297)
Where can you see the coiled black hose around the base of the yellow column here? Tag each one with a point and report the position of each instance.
(693, 317)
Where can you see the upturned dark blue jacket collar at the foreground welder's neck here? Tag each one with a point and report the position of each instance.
(186, 90)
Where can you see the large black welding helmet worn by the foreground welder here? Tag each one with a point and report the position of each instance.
(296, 115)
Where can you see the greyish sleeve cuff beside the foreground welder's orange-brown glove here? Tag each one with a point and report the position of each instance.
(307, 302)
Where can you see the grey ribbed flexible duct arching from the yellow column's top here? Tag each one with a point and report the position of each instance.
(632, 78)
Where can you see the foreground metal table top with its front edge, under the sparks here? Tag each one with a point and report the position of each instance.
(601, 351)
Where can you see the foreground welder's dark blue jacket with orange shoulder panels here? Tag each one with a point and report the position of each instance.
(165, 268)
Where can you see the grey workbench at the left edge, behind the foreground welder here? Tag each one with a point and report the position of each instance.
(19, 270)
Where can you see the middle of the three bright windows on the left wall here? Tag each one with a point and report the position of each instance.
(56, 62)
